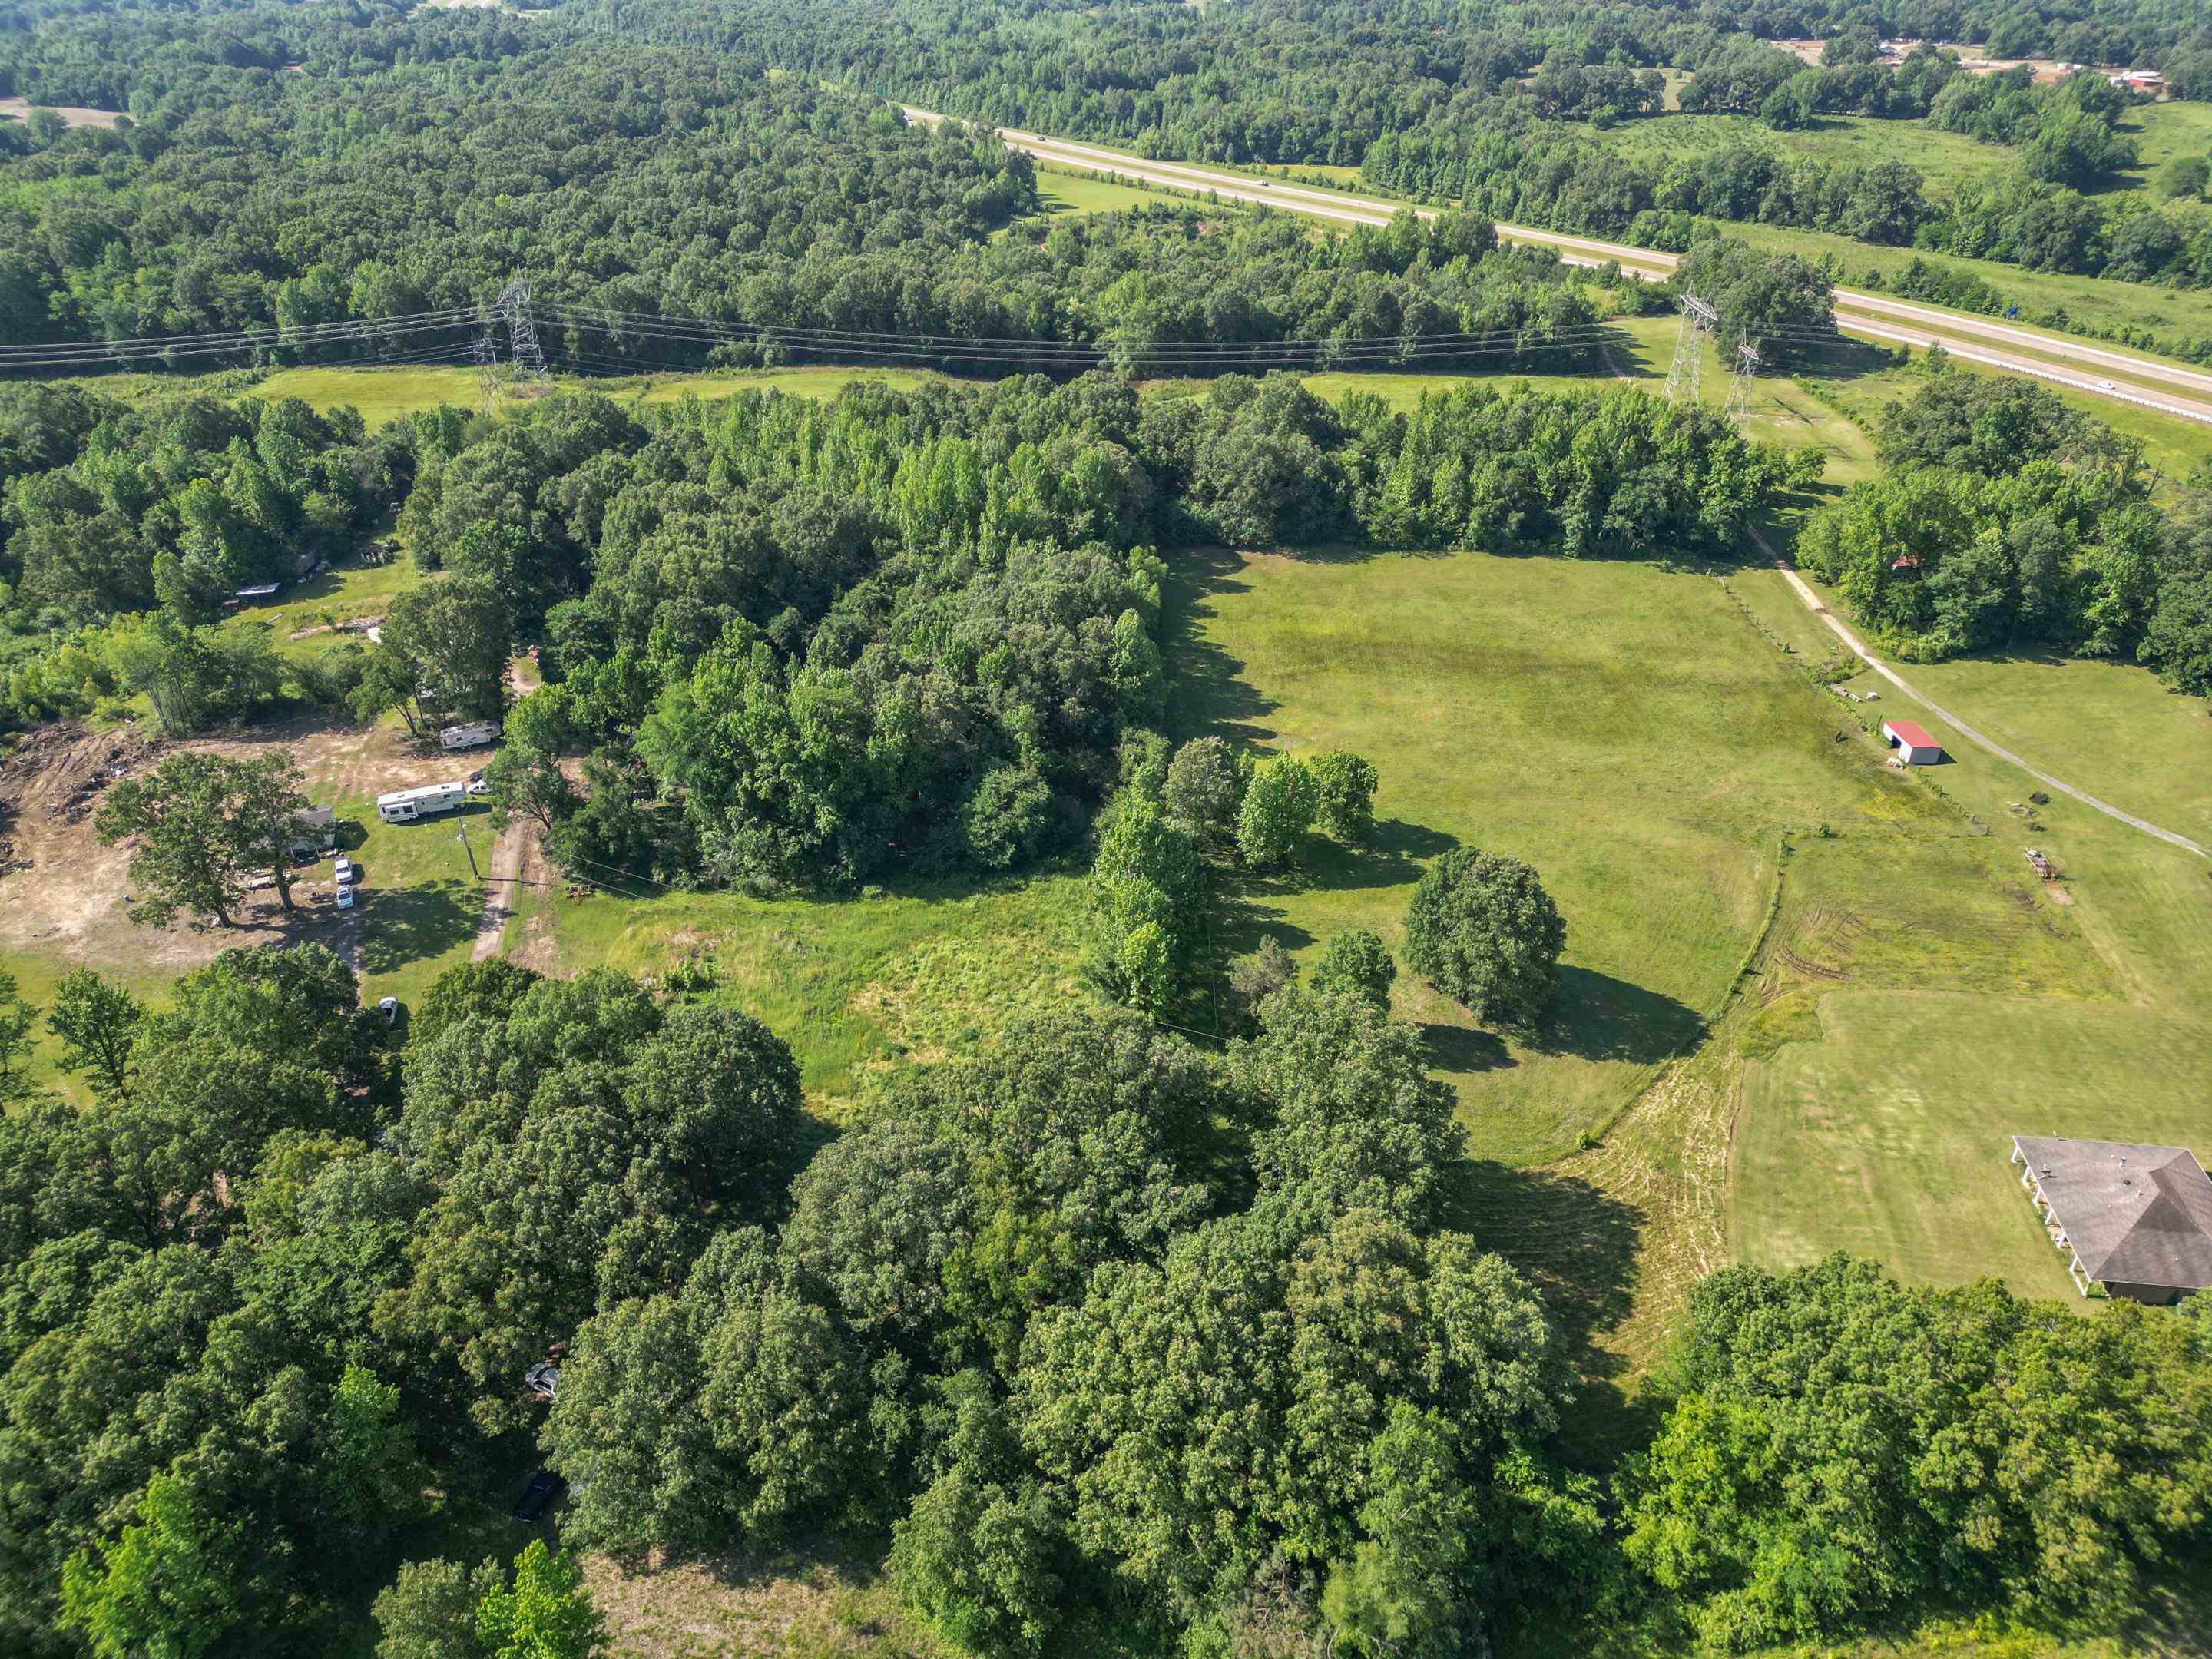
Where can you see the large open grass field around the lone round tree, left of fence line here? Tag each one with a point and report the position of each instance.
(1618, 727)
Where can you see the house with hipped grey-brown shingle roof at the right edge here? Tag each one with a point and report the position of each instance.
(2133, 1218)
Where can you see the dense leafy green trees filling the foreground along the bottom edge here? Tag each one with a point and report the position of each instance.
(1109, 1335)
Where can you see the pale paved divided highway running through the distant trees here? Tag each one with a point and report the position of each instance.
(1972, 340)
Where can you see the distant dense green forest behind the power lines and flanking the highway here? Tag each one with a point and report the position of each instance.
(313, 165)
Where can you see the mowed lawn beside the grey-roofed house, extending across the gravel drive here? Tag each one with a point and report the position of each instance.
(1881, 1118)
